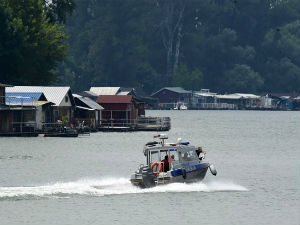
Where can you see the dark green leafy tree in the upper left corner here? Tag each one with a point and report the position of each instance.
(36, 46)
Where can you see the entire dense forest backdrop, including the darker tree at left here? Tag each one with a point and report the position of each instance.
(224, 45)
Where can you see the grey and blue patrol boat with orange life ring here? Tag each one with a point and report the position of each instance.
(185, 165)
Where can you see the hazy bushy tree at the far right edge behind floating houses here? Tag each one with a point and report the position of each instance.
(282, 68)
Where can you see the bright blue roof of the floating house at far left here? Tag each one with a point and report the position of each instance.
(19, 97)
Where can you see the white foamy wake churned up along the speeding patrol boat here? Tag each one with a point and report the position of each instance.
(108, 186)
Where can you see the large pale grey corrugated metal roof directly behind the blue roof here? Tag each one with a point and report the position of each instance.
(53, 94)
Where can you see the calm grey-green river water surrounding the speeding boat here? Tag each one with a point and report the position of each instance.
(85, 180)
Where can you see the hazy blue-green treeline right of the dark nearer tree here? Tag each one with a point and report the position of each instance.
(224, 45)
